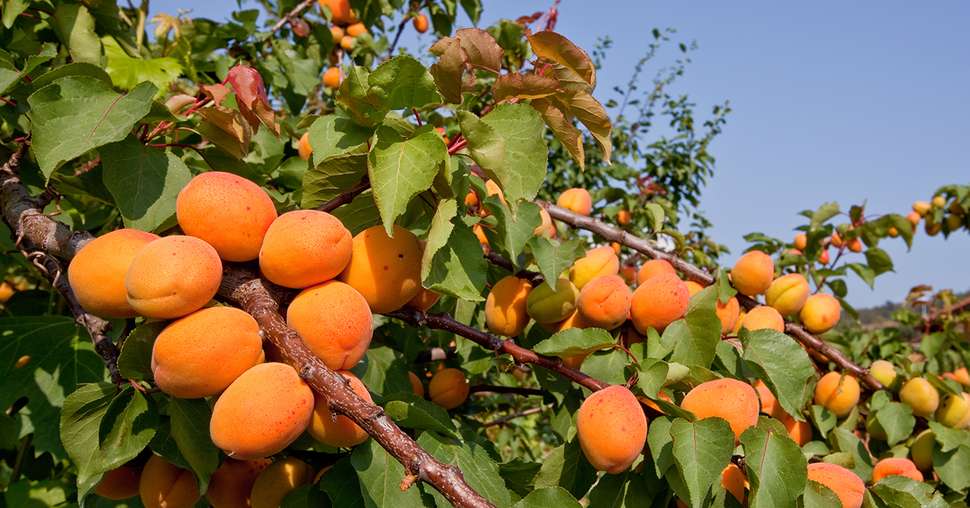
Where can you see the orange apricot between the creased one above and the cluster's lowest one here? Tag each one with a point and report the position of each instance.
(203, 353)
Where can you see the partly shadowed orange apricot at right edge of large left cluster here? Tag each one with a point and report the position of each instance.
(385, 270)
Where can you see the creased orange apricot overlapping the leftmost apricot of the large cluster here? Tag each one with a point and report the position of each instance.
(173, 276)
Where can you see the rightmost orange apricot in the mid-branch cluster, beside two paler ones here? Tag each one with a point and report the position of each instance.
(659, 301)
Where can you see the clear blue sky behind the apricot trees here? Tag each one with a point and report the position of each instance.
(832, 101)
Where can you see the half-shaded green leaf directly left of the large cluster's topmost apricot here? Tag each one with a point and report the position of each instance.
(144, 182)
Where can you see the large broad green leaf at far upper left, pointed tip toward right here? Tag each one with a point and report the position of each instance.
(87, 108)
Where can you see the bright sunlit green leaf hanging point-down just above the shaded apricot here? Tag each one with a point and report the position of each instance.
(400, 169)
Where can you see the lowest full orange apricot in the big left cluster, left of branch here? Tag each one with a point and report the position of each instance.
(262, 412)
